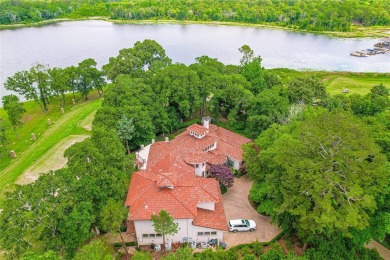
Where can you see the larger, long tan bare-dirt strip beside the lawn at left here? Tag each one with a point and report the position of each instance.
(52, 160)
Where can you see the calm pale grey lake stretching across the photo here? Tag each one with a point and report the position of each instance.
(68, 43)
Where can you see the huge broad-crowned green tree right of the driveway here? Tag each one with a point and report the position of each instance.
(323, 173)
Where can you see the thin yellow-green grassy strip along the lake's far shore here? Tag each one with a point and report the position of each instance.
(358, 31)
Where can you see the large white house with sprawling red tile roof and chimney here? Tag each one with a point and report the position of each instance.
(172, 176)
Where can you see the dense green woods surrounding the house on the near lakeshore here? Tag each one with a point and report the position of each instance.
(319, 162)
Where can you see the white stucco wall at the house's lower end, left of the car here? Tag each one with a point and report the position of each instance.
(186, 229)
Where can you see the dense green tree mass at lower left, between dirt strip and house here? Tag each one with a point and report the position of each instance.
(60, 208)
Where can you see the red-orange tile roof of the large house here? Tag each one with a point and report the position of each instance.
(169, 181)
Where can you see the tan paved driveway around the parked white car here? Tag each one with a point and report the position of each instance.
(237, 206)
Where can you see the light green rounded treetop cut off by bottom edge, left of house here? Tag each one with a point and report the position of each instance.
(96, 249)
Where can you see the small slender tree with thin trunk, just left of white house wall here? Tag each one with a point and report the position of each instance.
(113, 215)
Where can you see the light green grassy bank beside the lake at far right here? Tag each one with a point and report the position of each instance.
(336, 82)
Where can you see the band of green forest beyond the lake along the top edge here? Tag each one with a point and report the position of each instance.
(320, 15)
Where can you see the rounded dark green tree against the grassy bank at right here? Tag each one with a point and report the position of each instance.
(306, 90)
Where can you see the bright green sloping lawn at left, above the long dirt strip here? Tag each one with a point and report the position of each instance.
(29, 151)
